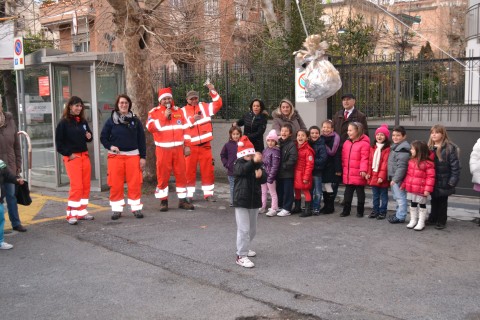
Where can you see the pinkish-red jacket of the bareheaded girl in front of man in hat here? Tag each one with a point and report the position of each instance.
(355, 160)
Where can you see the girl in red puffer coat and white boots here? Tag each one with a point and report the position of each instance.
(419, 183)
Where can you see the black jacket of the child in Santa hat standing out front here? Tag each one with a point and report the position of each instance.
(247, 190)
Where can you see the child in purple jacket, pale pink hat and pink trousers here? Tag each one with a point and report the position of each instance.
(271, 163)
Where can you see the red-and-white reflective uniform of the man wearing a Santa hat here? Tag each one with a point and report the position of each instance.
(169, 136)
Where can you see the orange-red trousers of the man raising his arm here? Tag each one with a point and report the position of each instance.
(201, 154)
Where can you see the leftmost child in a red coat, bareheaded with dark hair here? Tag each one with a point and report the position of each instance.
(303, 173)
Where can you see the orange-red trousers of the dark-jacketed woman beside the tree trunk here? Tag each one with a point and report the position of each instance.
(123, 168)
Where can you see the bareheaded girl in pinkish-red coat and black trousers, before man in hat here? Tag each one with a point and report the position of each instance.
(355, 154)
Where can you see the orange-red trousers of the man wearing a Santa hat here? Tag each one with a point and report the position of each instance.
(169, 159)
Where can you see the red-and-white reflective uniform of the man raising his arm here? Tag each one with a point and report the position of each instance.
(198, 137)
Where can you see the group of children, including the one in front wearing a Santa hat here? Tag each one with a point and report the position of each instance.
(314, 163)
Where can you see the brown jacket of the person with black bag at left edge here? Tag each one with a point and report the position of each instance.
(10, 144)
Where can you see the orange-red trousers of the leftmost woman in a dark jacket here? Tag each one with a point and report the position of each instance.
(79, 172)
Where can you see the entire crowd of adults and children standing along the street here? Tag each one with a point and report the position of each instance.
(291, 161)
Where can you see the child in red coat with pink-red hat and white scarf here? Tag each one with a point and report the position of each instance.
(378, 172)
